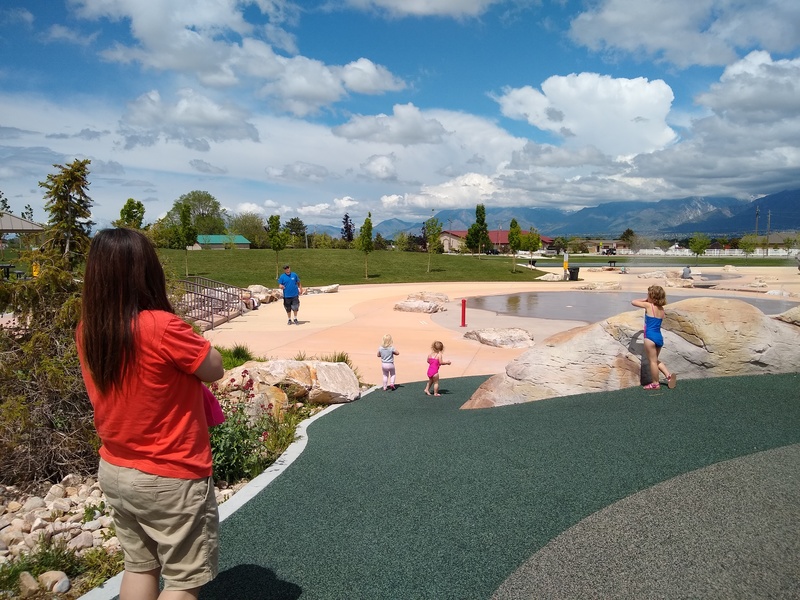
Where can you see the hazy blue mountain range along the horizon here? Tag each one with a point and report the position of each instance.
(664, 219)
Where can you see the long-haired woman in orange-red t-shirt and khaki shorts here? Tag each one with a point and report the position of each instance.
(143, 367)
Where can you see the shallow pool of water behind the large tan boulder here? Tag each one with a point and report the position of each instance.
(592, 306)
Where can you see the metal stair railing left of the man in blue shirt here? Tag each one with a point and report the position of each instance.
(207, 302)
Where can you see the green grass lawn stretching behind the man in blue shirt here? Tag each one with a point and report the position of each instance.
(318, 267)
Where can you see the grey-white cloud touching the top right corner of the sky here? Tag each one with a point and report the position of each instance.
(688, 32)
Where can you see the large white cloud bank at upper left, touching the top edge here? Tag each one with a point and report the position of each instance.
(213, 42)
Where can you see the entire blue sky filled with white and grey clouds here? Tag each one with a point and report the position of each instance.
(399, 107)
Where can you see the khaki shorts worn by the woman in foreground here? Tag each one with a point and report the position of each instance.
(166, 523)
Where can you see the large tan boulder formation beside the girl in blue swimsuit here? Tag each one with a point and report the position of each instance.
(702, 338)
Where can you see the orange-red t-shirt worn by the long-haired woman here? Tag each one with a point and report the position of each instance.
(156, 423)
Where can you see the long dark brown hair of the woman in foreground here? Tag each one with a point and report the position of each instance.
(123, 277)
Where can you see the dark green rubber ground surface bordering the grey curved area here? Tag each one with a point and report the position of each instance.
(400, 495)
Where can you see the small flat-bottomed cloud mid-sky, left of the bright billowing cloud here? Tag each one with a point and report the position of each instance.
(406, 126)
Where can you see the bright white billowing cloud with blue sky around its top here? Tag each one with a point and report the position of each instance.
(619, 116)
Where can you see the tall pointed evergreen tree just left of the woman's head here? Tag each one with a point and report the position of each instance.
(69, 206)
